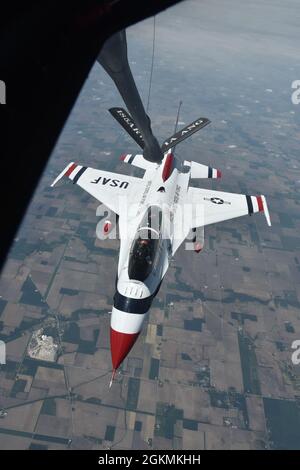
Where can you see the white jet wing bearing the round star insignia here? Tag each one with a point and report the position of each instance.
(210, 207)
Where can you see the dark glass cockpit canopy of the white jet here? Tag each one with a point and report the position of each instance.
(145, 246)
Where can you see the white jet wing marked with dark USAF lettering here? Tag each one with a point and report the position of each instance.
(105, 186)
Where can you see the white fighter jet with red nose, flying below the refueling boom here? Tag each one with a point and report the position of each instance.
(163, 209)
